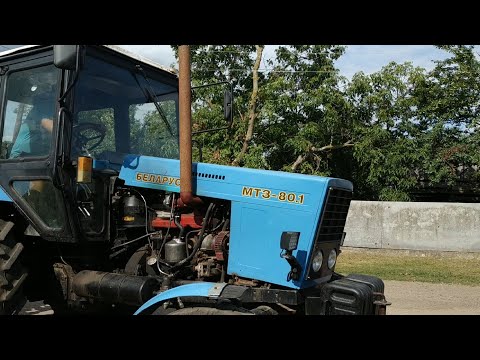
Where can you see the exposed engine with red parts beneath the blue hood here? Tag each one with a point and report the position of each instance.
(176, 242)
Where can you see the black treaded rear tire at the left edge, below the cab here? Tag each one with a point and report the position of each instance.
(12, 273)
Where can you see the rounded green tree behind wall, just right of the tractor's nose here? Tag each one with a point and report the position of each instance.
(386, 132)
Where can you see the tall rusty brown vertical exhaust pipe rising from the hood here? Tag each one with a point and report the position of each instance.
(185, 129)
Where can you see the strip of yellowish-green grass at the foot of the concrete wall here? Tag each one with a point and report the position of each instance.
(446, 268)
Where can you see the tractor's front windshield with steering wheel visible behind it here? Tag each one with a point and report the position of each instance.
(115, 112)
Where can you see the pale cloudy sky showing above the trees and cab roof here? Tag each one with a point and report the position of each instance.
(366, 58)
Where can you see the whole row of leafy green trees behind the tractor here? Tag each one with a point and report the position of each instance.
(391, 133)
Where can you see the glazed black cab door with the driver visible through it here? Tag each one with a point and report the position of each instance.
(30, 87)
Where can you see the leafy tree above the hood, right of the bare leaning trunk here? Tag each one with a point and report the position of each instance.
(306, 124)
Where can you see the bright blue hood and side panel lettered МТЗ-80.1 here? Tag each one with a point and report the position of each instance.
(257, 217)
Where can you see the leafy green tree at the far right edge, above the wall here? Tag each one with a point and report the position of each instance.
(448, 106)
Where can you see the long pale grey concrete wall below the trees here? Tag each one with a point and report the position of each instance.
(413, 226)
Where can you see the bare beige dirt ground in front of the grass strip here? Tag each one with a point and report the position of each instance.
(417, 298)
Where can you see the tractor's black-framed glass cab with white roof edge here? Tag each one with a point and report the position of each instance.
(69, 102)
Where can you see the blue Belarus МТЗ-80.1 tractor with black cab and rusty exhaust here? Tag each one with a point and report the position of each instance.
(103, 210)
